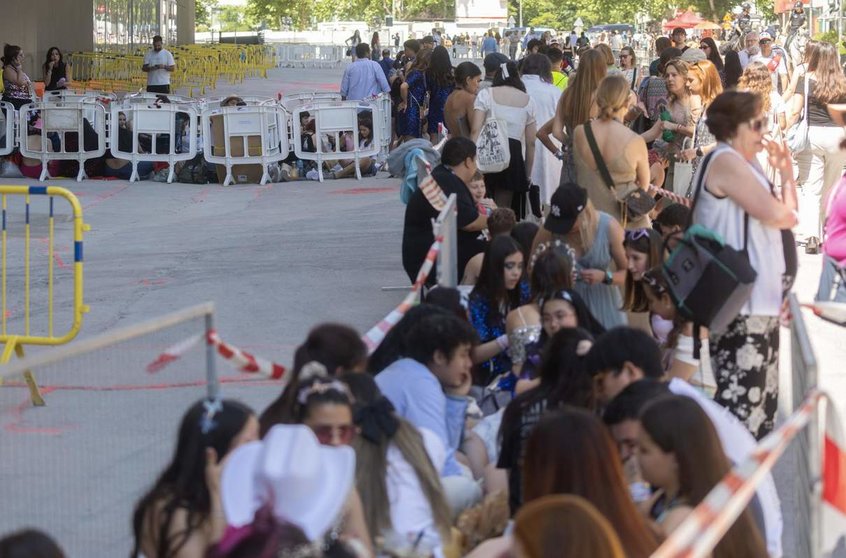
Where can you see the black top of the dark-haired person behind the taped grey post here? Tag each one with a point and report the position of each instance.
(417, 235)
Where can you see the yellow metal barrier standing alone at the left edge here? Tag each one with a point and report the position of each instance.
(15, 340)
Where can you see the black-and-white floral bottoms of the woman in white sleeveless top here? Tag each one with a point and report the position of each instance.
(745, 363)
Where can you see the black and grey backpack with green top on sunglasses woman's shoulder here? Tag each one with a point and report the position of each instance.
(708, 280)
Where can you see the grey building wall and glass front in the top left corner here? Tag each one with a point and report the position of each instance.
(86, 25)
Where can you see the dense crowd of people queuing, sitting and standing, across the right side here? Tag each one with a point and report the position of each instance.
(560, 402)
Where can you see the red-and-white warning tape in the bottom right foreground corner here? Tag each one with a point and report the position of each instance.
(705, 526)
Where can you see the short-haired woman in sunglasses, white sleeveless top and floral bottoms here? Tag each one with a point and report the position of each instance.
(733, 185)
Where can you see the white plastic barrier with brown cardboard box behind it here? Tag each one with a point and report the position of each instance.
(248, 135)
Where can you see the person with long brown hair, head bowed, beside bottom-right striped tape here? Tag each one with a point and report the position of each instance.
(680, 454)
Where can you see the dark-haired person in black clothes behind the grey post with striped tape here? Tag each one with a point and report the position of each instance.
(458, 165)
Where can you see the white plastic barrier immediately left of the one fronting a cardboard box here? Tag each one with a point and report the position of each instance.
(162, 124)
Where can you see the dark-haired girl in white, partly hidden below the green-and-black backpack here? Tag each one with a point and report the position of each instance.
(684, 356)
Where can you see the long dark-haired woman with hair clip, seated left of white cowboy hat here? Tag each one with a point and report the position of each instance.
(181, 516)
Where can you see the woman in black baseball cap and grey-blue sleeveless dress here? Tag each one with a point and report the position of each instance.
(597, 240)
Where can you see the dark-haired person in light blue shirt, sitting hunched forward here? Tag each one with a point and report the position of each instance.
(429, 389)
